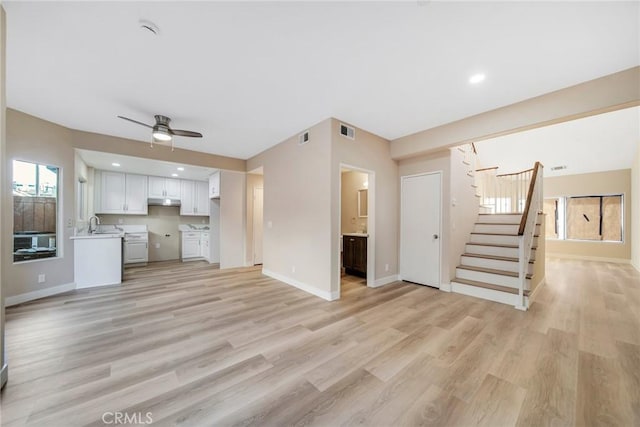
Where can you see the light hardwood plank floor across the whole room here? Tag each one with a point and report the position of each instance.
(193, 345)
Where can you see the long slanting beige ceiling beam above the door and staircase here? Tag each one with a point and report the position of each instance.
(612, 92)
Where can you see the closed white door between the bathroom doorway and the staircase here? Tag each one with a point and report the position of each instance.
(420, 229)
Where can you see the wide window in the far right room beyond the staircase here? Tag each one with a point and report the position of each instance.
(590, 218)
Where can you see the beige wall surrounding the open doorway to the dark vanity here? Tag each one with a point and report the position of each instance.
(370, 153)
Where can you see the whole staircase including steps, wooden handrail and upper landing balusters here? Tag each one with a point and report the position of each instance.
(499, 257)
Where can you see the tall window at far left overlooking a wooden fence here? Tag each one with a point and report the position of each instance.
(35, 211)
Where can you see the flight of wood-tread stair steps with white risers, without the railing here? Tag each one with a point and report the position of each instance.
(489, 266)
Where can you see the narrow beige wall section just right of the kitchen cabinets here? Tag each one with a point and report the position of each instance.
(233, 218)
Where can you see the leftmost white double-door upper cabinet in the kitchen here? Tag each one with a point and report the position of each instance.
(120, 193)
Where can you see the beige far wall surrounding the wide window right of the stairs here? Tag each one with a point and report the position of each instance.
(611, 182)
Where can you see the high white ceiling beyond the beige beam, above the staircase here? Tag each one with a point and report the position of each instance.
(598, 143)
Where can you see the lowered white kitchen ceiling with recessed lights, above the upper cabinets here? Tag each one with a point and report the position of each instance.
(104, 161)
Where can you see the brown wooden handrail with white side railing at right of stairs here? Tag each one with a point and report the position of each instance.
(526, 231)
